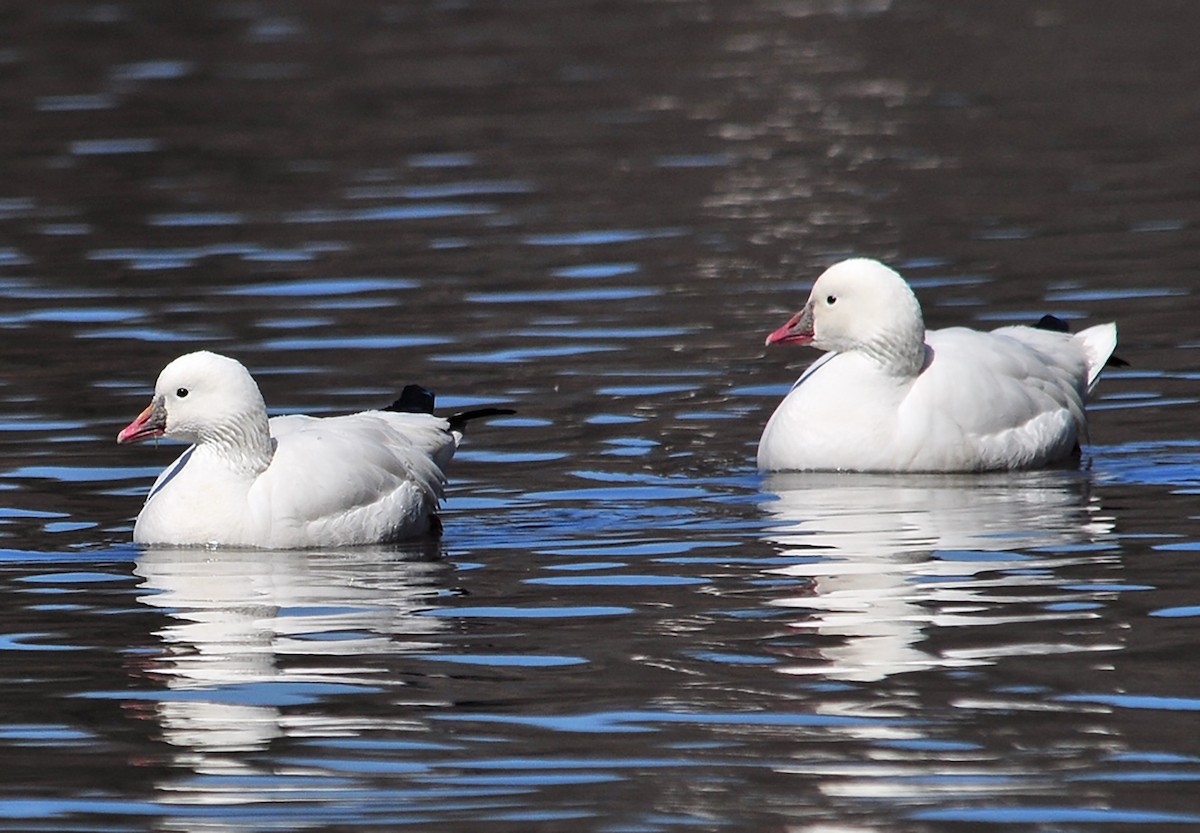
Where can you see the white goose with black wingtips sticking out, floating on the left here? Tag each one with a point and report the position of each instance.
(289, 482)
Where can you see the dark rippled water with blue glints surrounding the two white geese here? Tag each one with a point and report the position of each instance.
(593, 213)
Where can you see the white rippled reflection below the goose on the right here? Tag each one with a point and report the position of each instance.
(885, 560)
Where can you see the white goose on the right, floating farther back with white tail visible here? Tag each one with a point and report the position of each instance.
(891, 397)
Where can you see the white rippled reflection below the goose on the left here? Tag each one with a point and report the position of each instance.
(250, 633)
